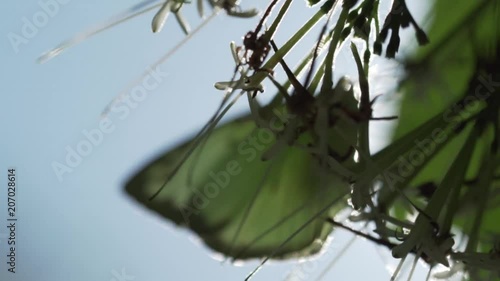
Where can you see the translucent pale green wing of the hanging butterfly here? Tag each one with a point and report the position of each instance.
(238, 204)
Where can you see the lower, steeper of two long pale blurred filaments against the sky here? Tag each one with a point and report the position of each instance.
(160, 61)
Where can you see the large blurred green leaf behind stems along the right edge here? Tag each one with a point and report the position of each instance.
(457, 76)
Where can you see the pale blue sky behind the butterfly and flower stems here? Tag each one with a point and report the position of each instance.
(79, 225)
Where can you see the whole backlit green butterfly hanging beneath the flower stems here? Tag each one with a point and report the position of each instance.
(262, 185)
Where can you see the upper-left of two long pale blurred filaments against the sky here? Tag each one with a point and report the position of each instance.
(133, 12)
